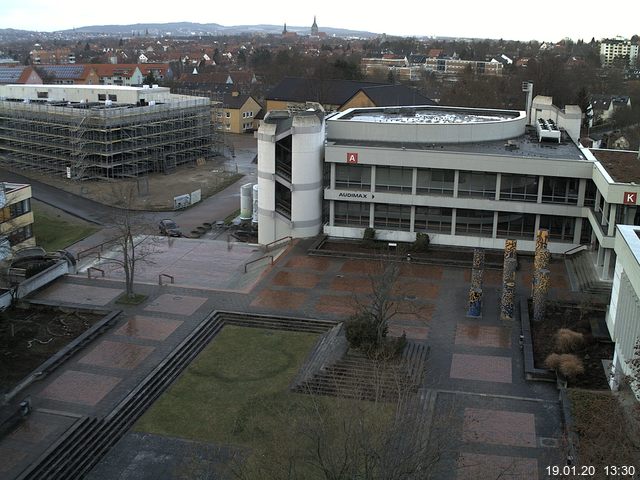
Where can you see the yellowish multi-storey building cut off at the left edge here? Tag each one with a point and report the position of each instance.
(16, 218)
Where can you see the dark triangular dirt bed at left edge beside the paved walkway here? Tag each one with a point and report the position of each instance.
(29, 336)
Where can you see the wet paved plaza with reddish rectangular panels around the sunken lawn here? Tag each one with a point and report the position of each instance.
(496, 424)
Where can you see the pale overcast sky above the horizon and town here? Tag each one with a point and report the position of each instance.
(508, 19)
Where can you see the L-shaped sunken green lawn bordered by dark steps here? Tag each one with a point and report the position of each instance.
(236, 394)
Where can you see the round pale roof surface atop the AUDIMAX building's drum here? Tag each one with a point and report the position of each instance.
(427, 114)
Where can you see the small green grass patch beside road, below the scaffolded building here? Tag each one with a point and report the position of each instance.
(53, 233)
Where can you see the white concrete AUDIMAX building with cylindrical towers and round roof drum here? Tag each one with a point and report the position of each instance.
(468, 177)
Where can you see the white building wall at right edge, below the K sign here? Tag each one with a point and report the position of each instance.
(623, 315)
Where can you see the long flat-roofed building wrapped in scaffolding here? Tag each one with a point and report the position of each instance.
(101, 132)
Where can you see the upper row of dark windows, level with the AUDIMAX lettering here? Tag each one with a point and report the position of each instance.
(522, 188)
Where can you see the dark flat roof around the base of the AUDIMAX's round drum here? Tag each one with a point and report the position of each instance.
(526, 146)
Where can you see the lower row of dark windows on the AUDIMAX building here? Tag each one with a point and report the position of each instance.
(438, 220)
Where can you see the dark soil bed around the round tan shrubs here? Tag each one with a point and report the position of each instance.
(571, 316)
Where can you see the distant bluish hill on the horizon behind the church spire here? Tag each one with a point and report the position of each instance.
(191, 28)
